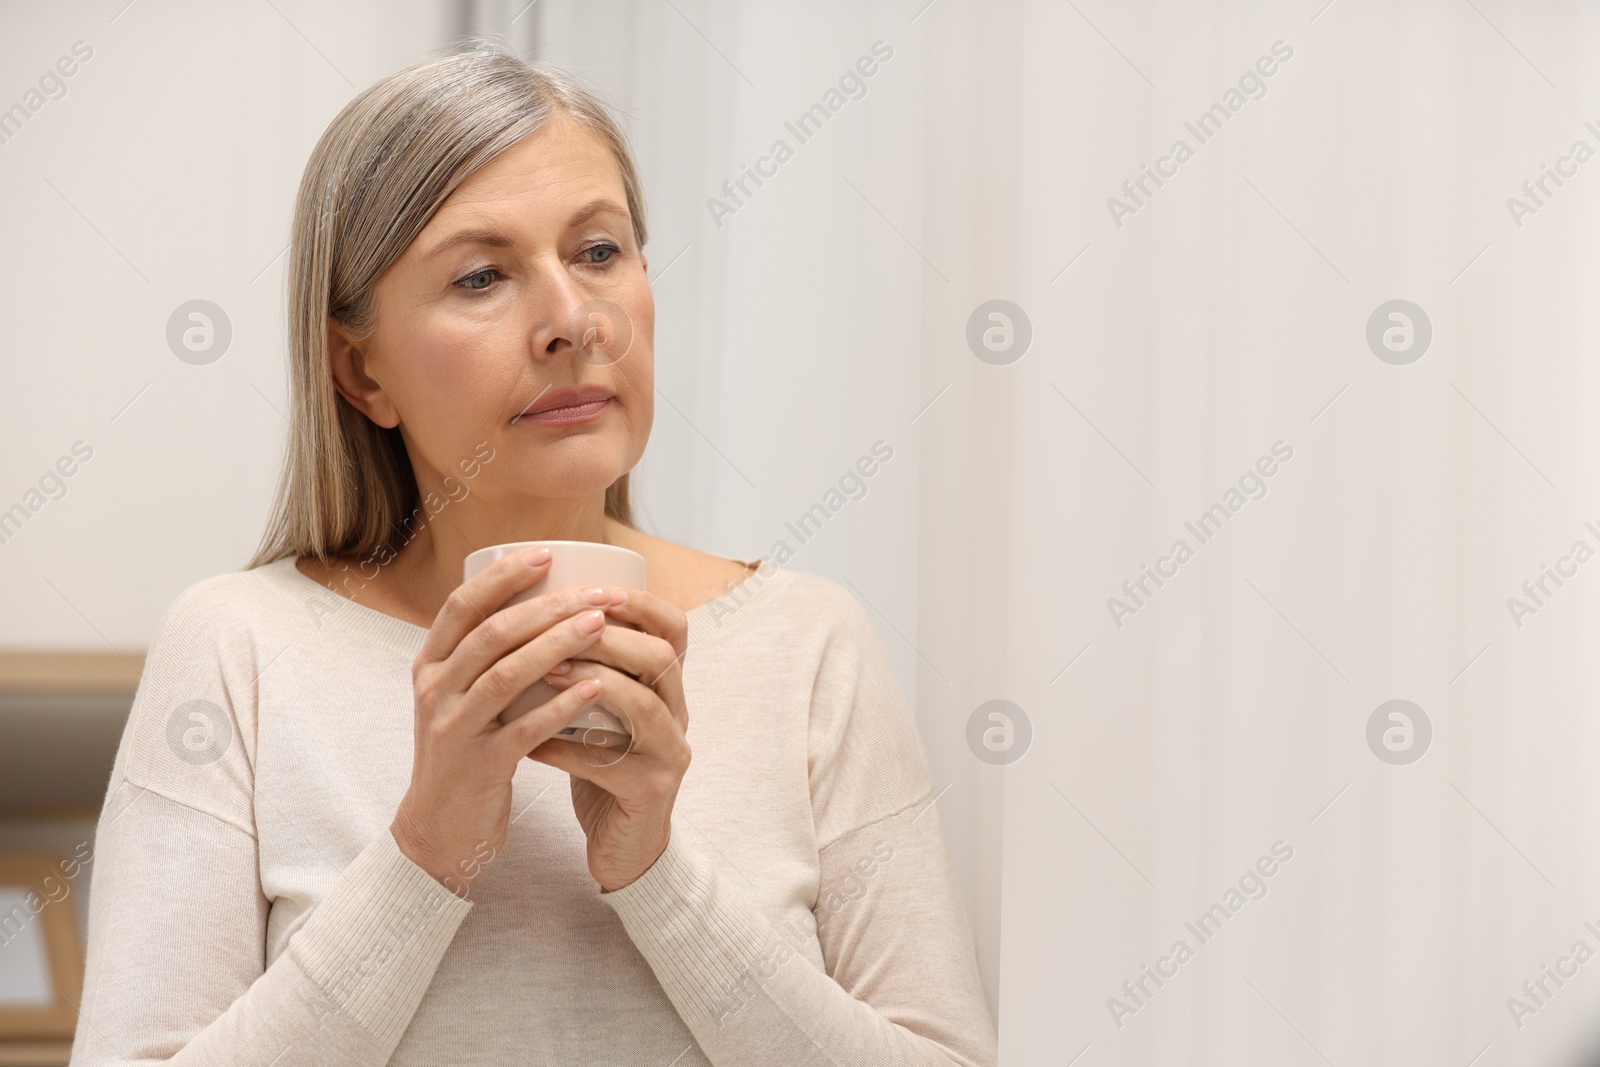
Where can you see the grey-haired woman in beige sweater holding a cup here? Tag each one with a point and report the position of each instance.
(321, 845)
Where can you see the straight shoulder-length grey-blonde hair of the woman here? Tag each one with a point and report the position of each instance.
(382, 170)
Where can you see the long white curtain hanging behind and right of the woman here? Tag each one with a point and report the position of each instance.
(1186, 342)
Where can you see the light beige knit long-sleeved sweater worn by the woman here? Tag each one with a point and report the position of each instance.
(249, 905)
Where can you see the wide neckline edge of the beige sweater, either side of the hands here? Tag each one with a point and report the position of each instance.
(330, 609)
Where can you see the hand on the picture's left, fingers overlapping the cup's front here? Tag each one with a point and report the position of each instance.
(478, 658)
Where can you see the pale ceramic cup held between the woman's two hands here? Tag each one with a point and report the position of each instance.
(574, 565)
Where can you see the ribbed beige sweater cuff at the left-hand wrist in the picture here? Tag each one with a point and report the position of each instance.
(375, 941)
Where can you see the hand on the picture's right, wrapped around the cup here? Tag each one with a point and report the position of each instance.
(625, 802)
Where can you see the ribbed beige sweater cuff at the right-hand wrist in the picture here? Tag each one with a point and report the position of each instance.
(706, 945)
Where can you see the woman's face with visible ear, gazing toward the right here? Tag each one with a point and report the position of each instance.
(526, 286)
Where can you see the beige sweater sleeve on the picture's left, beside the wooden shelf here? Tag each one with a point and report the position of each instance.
(175, 969)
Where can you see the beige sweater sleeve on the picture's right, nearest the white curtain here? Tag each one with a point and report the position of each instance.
(900, 983)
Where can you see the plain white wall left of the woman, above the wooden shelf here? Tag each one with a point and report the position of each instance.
(166, 174)
